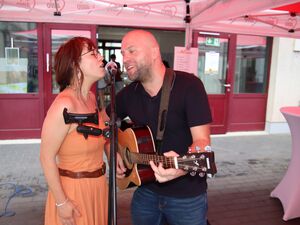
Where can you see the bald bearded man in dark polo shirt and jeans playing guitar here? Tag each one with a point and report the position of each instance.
(175, 197)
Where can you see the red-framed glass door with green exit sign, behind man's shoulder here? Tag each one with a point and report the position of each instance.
(213, 70)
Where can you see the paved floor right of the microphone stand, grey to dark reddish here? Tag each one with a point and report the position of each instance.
(249, 168)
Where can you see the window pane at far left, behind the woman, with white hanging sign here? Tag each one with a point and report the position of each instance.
(18, 58)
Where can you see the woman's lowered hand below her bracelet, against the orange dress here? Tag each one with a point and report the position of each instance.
(67, 213)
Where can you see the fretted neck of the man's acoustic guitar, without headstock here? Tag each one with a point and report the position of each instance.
(144, 159)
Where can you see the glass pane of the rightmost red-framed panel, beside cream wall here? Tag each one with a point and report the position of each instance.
(251, 64)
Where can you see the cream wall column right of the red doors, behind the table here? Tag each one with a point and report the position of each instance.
(284, 85)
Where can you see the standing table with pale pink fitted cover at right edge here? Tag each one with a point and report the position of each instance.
(288, 190)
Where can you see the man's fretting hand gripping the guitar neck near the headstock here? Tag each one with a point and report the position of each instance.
(163, 175)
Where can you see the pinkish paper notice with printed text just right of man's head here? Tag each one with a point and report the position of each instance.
(186, 60)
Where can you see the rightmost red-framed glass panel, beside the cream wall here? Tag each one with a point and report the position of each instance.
(251, 79)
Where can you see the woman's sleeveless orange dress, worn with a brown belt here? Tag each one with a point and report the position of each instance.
(89, 194)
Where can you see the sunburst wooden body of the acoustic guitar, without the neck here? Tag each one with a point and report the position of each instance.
(136, 139)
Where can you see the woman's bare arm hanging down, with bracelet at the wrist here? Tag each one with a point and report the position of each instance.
(53, 133)
